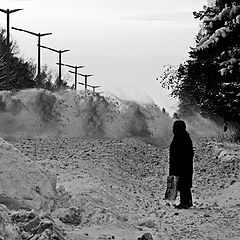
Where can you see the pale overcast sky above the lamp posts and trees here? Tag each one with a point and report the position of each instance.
(123, 43)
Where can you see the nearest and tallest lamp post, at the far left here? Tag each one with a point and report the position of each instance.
(8, 12)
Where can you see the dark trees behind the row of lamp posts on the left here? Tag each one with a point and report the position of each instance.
(23, 72)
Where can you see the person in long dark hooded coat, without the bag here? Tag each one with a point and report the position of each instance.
(181, 162)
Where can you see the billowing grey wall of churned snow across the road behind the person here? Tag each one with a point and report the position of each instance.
(37, 112)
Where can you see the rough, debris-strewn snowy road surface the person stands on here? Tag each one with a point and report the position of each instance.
(118, 185)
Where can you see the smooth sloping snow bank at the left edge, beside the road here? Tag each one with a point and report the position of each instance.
(24, 184)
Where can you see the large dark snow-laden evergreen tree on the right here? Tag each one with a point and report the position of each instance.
(211, 77)
